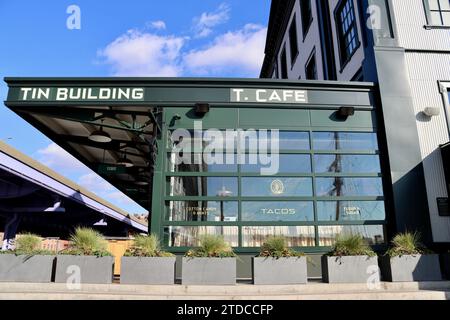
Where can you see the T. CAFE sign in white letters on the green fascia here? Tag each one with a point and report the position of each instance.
(269, 96)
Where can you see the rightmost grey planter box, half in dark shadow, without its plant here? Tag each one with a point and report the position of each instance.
(410, 268)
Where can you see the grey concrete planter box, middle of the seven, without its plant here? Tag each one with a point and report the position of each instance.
(208, 271)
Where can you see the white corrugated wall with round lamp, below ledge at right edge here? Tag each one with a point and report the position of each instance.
(432, 131)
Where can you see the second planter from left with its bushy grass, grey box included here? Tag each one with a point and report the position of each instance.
(86, 260)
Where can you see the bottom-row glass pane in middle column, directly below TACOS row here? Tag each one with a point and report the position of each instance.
(295, 236)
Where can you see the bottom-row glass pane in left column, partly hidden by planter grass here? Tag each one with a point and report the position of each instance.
(190, 236)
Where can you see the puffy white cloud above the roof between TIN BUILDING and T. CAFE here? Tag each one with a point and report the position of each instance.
(144, 54)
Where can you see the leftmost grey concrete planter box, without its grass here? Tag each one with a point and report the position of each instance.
(26, 268)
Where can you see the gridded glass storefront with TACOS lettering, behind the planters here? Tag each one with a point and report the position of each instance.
(326, 183)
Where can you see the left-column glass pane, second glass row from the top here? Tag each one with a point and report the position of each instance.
(187, 162)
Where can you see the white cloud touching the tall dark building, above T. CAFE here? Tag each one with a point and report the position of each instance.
(240, 52)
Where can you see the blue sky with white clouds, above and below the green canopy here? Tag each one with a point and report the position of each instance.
(205, 38)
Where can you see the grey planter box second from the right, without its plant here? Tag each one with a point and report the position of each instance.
(353, 269)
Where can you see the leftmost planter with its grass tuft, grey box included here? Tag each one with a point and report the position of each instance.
(27, 263)
